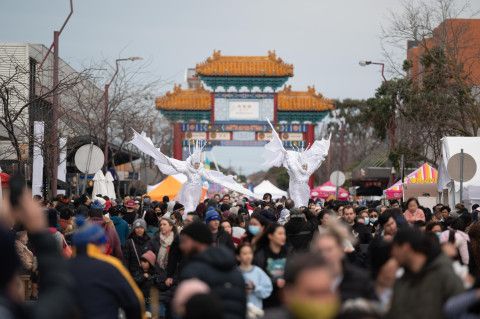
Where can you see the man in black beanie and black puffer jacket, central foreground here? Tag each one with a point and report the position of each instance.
(215, 266)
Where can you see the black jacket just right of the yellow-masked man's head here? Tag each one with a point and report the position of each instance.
(356, 284)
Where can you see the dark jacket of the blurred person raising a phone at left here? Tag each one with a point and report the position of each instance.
(56, 281)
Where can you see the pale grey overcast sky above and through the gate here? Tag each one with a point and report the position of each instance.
(323, 39)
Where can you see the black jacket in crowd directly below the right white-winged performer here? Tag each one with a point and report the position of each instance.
(300, 233)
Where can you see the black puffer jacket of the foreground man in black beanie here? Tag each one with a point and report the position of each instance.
(216, 267)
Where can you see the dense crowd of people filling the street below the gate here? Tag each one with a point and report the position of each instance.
(235, 258)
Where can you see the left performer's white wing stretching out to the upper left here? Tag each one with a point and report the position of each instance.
(167, 165)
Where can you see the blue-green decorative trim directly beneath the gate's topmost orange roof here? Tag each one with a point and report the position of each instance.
(239, 82)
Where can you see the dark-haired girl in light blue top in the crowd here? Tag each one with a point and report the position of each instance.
(258, 284)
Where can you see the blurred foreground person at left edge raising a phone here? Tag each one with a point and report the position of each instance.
(56, 298)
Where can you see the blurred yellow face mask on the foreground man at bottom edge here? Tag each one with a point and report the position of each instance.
(314, 310)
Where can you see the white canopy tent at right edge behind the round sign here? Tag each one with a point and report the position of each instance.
(450, 147)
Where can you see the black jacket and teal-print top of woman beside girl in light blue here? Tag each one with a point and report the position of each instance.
(274, 266)
